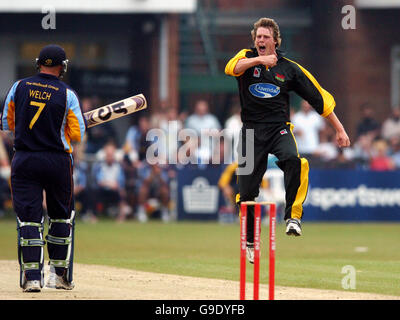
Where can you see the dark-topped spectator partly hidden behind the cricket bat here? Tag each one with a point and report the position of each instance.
(97, 136)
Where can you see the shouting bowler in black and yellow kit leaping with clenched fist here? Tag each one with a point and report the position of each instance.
(265, 78)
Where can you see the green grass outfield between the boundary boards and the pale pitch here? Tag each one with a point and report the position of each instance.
(211, 250)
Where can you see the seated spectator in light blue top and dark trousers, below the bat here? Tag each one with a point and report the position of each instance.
(109, 180)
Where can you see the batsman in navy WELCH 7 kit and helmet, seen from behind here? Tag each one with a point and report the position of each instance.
(46, 117)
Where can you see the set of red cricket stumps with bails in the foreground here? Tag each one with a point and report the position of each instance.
(243, 246)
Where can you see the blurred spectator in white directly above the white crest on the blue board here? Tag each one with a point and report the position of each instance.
(203, 122)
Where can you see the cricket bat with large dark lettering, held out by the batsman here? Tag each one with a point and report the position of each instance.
(115, 110)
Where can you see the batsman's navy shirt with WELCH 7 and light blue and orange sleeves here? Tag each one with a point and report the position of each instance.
(44, 113)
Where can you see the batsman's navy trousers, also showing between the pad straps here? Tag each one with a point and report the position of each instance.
(31, 174)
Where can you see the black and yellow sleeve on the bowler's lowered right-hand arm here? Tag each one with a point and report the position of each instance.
(307, 87)
